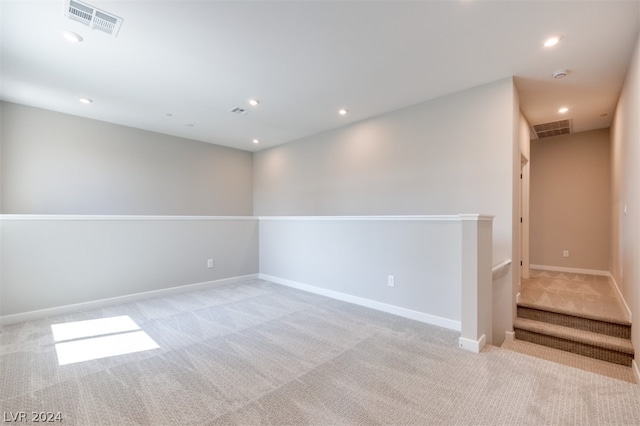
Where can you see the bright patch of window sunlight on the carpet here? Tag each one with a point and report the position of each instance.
(80, 341)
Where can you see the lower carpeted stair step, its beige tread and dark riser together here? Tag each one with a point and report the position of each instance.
(595, 345)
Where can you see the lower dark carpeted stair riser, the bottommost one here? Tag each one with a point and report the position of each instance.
(575, 347)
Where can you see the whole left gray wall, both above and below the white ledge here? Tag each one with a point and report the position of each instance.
(58, 165)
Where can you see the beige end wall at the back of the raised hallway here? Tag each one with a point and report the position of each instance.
(570, 193)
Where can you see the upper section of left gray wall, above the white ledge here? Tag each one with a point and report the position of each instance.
(55, 163)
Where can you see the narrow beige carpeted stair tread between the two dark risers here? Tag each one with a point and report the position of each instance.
(581, 336)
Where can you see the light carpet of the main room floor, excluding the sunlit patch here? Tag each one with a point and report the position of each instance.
(256, 352)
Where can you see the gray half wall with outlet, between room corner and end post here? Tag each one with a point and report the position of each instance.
(354, 256)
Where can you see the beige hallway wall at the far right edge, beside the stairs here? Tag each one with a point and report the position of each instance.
(625, 137)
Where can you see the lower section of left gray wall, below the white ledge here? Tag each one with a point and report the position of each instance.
(53, 262)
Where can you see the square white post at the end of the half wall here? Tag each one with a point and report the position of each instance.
(477, 298)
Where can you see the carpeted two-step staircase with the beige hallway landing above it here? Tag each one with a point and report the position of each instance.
(575, 313)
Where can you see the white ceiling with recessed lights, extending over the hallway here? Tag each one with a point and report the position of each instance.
(306, 59)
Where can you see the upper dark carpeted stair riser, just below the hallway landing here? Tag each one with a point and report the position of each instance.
(586, 324)
